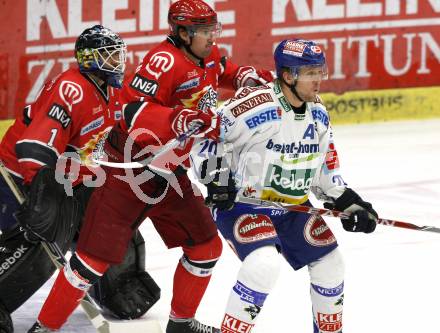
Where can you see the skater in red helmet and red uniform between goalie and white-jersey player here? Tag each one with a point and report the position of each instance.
(174, 88)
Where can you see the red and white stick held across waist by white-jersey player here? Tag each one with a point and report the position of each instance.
(331, 213)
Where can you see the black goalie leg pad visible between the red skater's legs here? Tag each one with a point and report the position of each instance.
(126, 290)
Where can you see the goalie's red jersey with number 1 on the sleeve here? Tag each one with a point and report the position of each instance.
(70, 114)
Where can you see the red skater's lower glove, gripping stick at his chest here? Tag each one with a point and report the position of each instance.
(186, 119)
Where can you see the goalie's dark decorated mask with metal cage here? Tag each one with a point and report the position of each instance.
(100, 51)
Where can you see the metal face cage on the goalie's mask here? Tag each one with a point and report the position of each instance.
(111, 58)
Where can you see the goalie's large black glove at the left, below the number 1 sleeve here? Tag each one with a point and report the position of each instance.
(39, 213)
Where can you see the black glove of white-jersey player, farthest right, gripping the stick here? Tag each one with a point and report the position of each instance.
(363, 218)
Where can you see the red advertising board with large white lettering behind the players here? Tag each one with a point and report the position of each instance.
(370, 44)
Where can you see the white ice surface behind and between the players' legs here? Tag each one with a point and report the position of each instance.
(392, 276)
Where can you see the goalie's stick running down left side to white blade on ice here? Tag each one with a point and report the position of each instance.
(101, 324)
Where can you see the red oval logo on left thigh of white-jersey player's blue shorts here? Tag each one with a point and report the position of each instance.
(250, 228)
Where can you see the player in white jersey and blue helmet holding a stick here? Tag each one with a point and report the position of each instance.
(277, 145)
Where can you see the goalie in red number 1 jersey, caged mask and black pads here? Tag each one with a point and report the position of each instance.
(72, 112)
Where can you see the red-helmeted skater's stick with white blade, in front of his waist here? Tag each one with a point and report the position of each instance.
(141, 164)
